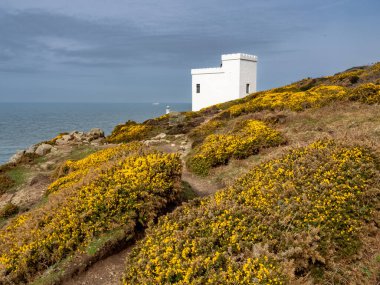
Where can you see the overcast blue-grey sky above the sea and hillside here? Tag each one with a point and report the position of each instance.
(142, 50)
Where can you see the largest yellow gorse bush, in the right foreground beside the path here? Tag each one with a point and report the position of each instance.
(300, 213)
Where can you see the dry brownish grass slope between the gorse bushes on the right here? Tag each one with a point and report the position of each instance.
(349, 122)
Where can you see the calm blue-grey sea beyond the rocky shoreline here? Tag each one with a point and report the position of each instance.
(24, 124)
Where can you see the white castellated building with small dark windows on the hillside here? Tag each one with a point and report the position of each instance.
(235, 78)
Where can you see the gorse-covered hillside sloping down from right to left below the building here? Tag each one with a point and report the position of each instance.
(288, 186)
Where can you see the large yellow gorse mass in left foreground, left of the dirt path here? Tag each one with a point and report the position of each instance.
(130, 191)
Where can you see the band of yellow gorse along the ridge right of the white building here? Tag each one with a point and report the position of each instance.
(359, 84)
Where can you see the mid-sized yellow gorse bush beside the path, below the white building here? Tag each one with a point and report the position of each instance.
(218, 149)
